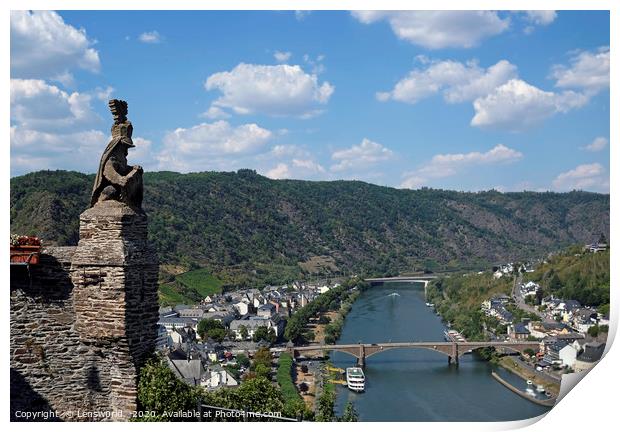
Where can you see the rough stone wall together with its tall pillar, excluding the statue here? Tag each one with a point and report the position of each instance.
(85, 320)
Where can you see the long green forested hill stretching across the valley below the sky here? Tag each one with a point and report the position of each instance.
(219, 220)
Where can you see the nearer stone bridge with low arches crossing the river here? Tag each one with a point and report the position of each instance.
(452, 349)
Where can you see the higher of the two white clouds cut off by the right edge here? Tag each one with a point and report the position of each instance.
(588, 71)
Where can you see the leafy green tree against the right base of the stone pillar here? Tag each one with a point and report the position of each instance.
(159, 390)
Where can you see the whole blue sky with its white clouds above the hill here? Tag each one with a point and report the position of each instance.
(454, 100)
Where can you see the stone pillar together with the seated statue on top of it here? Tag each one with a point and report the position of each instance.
(114, 272)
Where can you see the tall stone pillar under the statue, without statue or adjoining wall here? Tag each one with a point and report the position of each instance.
(114, 274)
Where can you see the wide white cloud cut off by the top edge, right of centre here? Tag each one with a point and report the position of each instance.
(439, 29)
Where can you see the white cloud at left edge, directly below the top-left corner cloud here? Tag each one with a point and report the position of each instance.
(36, 105)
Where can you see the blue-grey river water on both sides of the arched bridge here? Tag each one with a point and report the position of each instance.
(418, 384)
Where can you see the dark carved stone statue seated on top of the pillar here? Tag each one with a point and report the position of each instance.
(115, 179)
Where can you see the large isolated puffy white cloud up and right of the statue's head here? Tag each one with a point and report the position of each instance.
(280, 90)
